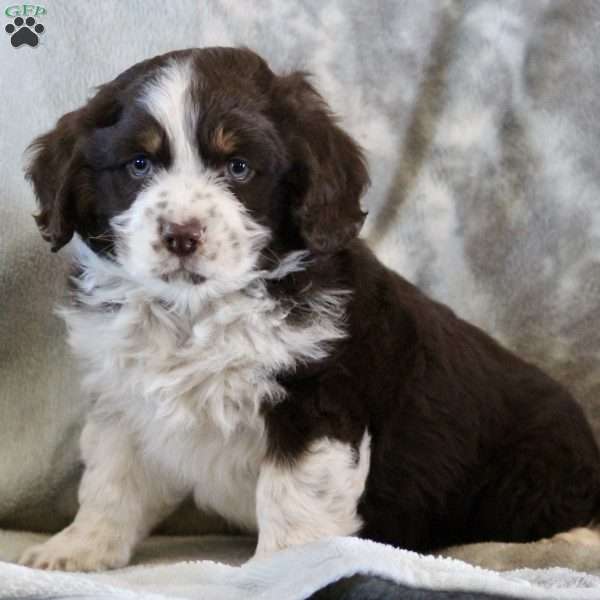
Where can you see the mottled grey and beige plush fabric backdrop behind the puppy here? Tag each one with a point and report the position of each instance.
(480, 122)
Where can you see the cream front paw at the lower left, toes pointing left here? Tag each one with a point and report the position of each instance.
(74, 550)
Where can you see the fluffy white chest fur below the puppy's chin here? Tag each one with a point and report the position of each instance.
(188, 385)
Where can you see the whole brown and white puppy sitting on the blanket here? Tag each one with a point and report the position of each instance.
(242, 345)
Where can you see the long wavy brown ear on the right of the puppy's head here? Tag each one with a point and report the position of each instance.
(329, 173)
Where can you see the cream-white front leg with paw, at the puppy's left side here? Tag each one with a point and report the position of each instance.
(121, 498)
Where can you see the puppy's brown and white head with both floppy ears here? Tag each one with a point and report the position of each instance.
(200, 165)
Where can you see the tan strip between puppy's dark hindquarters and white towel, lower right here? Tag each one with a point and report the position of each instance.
(577, 549)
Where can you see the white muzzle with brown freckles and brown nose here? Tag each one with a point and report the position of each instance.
(190, 229)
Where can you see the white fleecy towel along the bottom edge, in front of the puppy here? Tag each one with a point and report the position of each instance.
(295, 574)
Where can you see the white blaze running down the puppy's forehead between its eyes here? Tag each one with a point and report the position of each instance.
(168, 99)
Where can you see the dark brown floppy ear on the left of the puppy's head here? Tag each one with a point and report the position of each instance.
(52, 166)
